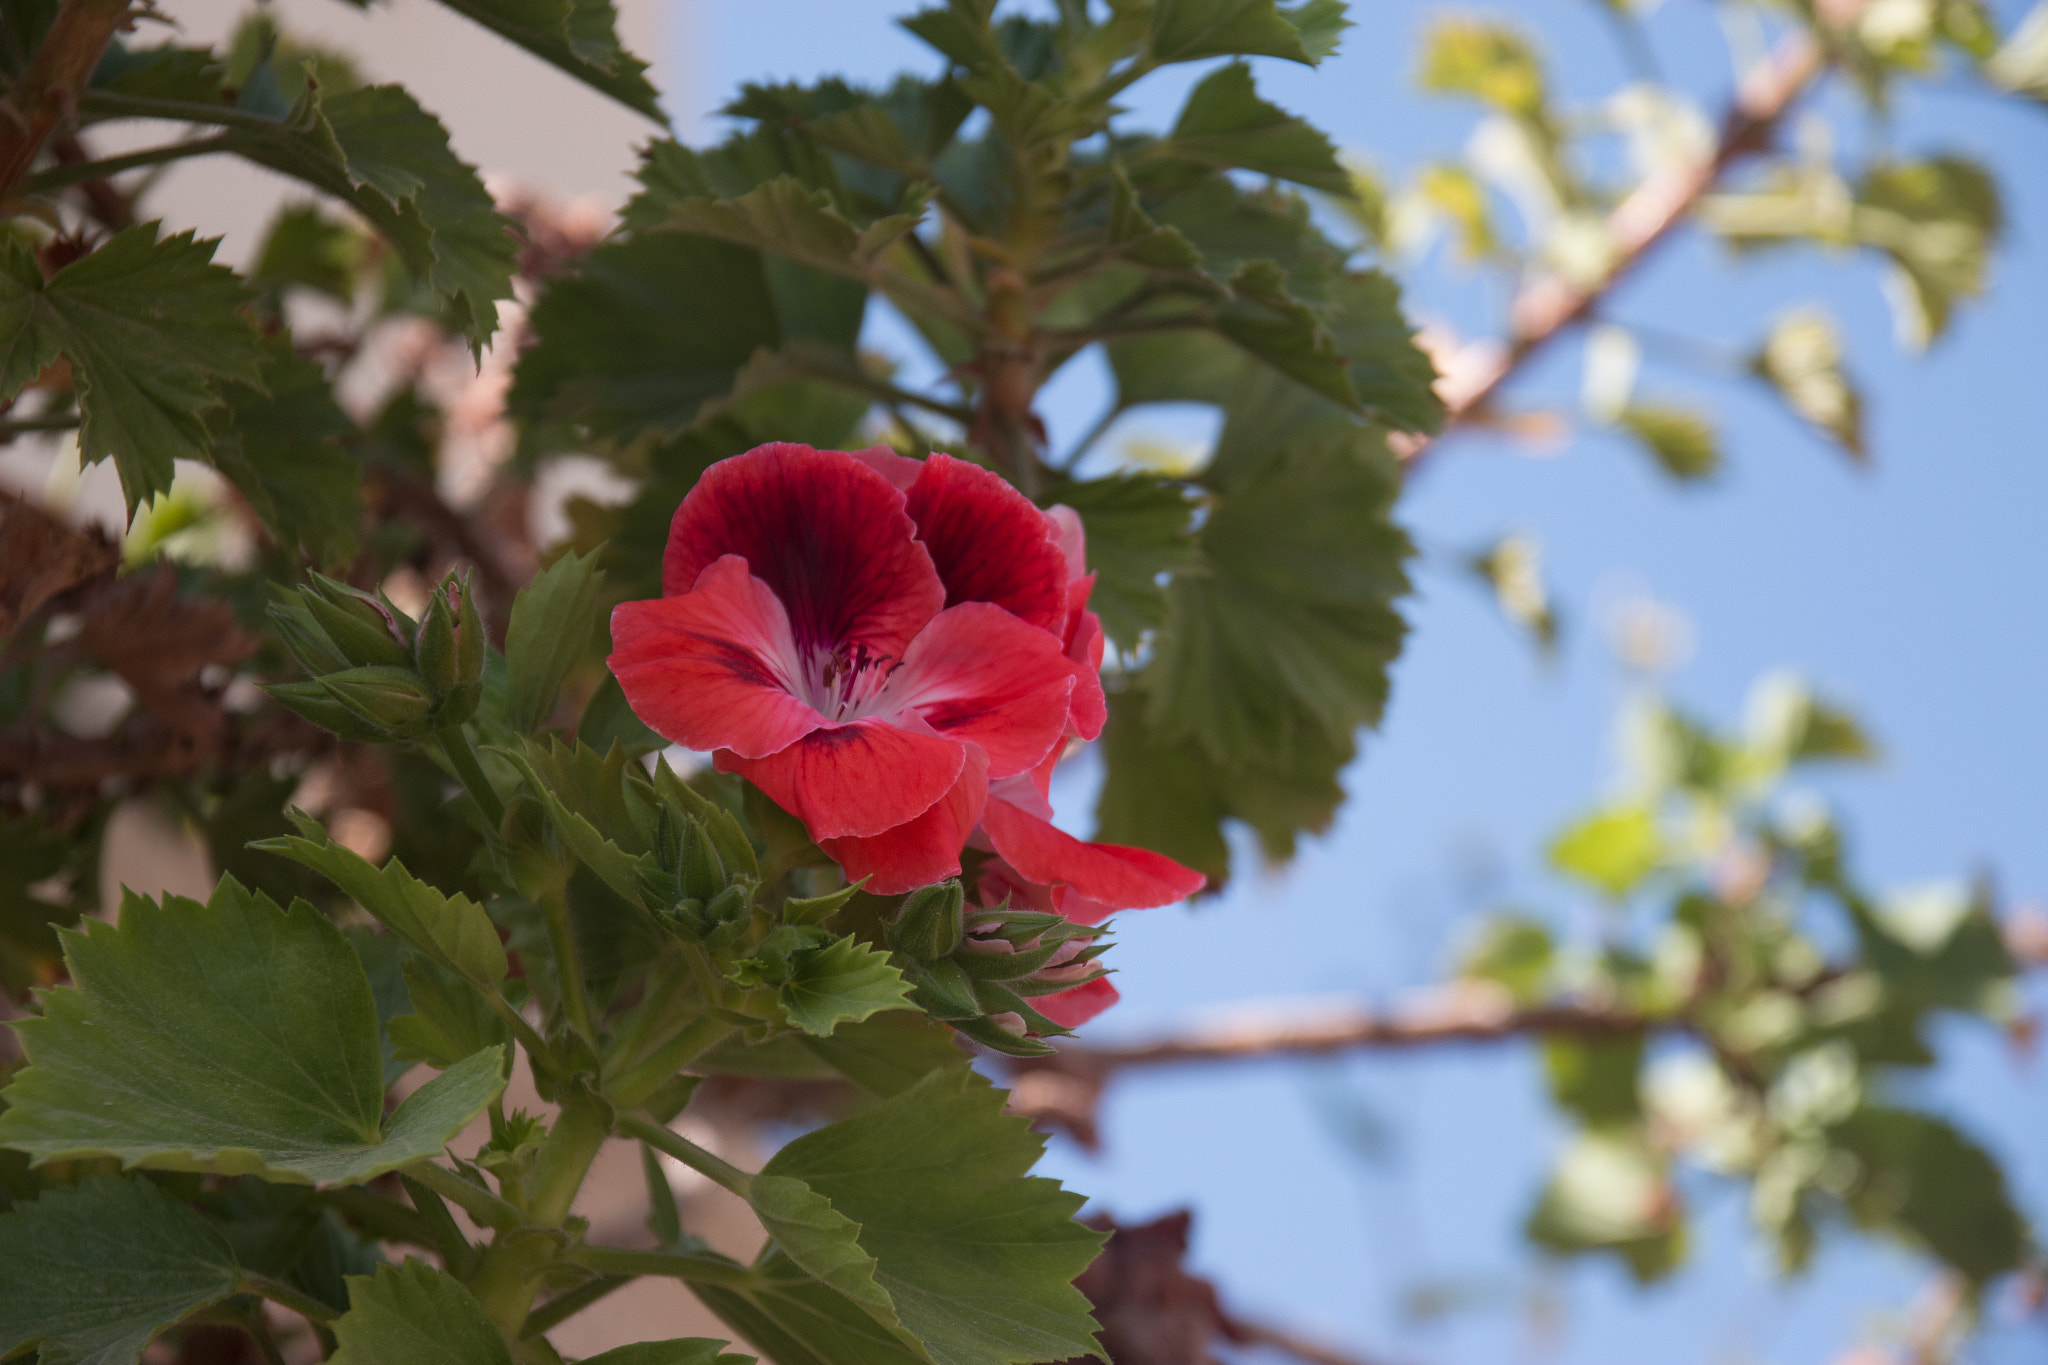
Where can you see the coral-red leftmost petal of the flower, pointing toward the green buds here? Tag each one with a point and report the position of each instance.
(712, 670)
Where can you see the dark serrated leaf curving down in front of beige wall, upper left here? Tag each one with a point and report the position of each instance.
(386, 157)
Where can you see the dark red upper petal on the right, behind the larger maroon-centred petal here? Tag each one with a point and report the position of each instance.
(990, 543)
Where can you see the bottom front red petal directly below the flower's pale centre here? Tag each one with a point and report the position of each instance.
(855, 779)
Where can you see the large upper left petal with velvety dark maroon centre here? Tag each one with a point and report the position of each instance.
(824, 531)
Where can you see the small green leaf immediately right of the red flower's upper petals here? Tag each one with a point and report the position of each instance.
(1138, 531)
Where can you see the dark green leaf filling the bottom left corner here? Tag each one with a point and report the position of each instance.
(93, 1272)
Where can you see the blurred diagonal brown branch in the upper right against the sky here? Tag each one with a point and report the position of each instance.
(1551, 304)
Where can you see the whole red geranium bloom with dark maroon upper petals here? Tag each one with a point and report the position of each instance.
(896, 652)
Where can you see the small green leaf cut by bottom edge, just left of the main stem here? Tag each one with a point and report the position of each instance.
(415, 1315)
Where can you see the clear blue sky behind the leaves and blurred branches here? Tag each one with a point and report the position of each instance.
(1916, 590)
